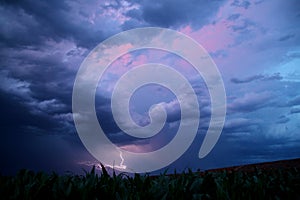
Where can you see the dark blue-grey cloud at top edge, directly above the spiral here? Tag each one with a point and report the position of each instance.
(168, 13)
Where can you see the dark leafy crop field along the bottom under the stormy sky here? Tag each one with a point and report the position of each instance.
(223, 184)
